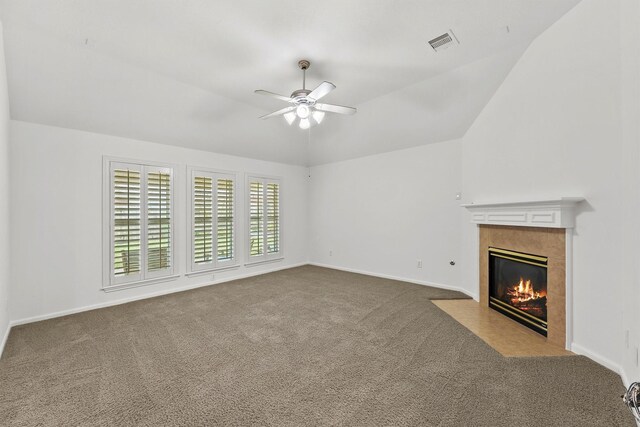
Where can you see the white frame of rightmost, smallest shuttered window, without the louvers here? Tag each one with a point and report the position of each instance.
(265, 257)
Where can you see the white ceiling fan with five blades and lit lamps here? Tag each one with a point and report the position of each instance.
(304, 102)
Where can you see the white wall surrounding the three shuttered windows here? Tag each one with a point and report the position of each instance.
(56, 190)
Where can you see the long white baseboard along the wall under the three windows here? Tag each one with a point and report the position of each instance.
(145, 296)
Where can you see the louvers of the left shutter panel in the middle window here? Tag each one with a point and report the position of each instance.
(202, 217)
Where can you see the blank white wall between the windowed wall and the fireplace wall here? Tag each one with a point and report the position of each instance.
(380, 214)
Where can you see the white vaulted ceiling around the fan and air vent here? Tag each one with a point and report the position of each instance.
(183, 72)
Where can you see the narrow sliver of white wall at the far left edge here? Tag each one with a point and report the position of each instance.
(5, 250)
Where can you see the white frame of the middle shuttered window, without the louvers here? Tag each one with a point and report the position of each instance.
(216, 265)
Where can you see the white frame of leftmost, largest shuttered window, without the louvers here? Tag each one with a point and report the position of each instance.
(109, 281)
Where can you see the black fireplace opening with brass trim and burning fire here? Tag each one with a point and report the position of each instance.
(518, 287)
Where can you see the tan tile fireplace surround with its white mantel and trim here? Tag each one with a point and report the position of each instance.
(542, 228)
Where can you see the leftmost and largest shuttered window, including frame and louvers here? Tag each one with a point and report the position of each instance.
(139, 224)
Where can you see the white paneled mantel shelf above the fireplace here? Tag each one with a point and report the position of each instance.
(555, 213)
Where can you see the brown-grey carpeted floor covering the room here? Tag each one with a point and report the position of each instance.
(304, 346)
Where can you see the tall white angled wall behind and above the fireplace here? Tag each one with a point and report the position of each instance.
(554, 129)
